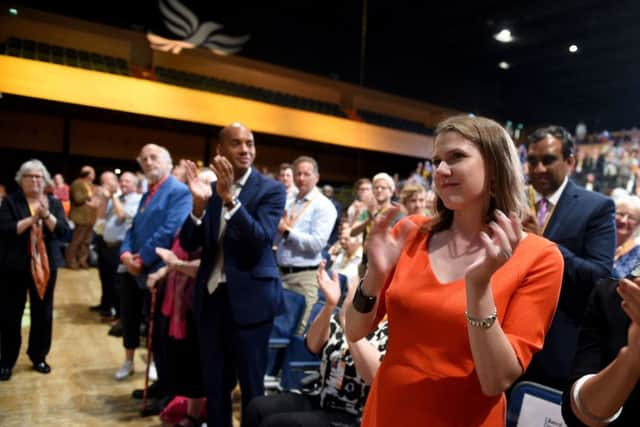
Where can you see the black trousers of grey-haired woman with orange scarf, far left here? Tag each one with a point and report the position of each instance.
(13, 297)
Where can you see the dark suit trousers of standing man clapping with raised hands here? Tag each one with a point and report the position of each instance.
(230, 353)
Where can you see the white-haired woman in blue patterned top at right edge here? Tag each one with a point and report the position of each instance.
(627, 221)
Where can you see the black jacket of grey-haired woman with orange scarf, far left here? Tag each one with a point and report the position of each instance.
(14, 249)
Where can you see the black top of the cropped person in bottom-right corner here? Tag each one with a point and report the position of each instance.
(602, 334)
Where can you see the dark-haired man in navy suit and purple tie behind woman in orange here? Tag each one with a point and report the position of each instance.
(582, 223)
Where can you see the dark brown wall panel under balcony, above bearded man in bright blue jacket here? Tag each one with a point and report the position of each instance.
(98, 139)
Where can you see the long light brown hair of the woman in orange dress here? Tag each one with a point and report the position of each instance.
(505, 181)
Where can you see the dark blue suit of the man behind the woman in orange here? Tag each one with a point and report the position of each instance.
(583, 227)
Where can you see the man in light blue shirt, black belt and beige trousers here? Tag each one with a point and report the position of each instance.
(304, 231)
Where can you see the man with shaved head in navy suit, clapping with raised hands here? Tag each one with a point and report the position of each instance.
(238, 288)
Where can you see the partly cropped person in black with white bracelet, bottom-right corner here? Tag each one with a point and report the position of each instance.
(604, 387)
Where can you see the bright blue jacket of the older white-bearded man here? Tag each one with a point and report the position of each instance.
(156, 224)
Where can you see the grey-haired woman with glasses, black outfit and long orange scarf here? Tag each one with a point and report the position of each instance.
(31, 223)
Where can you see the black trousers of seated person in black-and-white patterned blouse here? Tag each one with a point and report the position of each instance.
(294, 410)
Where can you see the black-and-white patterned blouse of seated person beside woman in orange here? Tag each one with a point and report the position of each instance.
(342, 388)
